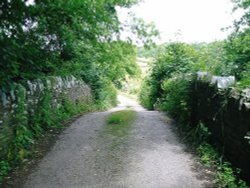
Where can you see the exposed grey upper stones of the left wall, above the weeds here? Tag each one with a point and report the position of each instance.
(75, 90)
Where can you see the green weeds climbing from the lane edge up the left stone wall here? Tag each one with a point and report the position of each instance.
(26, 127)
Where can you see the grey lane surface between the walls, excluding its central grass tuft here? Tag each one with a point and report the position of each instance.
(149, 157)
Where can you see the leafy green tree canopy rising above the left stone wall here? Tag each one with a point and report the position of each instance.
(60, 37)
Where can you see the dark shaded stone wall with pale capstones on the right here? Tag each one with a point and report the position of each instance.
(226, 112)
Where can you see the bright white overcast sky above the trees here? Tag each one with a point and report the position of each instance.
(195, 20)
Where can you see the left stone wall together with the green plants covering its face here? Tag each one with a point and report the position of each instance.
(28, 111)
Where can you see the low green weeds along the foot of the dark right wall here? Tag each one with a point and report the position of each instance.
(225, 174)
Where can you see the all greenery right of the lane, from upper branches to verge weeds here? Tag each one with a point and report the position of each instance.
(168, 86)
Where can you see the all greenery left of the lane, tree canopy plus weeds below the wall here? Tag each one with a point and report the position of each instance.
(62, 38)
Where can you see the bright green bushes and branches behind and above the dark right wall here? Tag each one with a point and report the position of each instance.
(175, 60)
